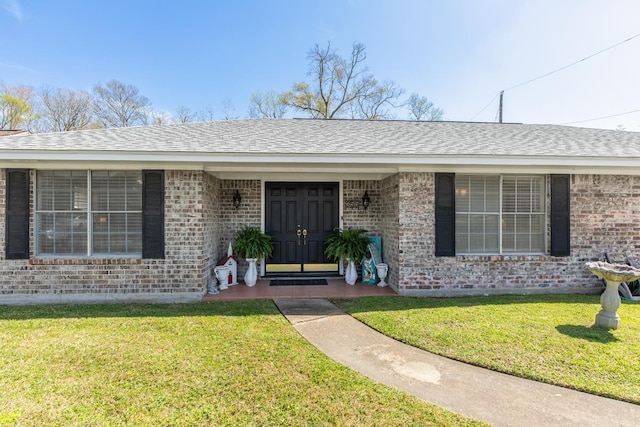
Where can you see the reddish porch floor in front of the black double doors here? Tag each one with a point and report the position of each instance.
(335, 288)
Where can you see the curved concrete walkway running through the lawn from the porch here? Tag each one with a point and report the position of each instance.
(484, 395)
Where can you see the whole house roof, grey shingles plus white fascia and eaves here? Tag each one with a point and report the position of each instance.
(375, 148)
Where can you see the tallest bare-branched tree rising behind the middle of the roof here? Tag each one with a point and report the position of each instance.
(340, 87)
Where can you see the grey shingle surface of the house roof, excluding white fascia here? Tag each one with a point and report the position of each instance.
(338, 137)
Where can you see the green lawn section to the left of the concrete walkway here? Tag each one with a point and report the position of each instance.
(225, 364)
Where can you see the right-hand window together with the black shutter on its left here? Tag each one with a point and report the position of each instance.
(490, 214)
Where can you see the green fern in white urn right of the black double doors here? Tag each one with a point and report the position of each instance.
(350, 245)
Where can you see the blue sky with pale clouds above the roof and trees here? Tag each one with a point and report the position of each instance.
(459, 54)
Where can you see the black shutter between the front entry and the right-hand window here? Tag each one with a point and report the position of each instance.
(445, 206)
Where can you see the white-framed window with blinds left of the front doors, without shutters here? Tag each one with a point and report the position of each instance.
(88, 213)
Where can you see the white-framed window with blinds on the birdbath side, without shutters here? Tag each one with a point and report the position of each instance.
(500, 214)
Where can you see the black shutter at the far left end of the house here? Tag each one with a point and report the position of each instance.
(17, 214)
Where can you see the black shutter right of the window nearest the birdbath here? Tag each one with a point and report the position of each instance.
(560, 218)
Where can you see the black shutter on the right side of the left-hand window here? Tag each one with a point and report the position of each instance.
(152, 214)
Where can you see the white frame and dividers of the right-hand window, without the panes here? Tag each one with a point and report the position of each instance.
(501, 213)
